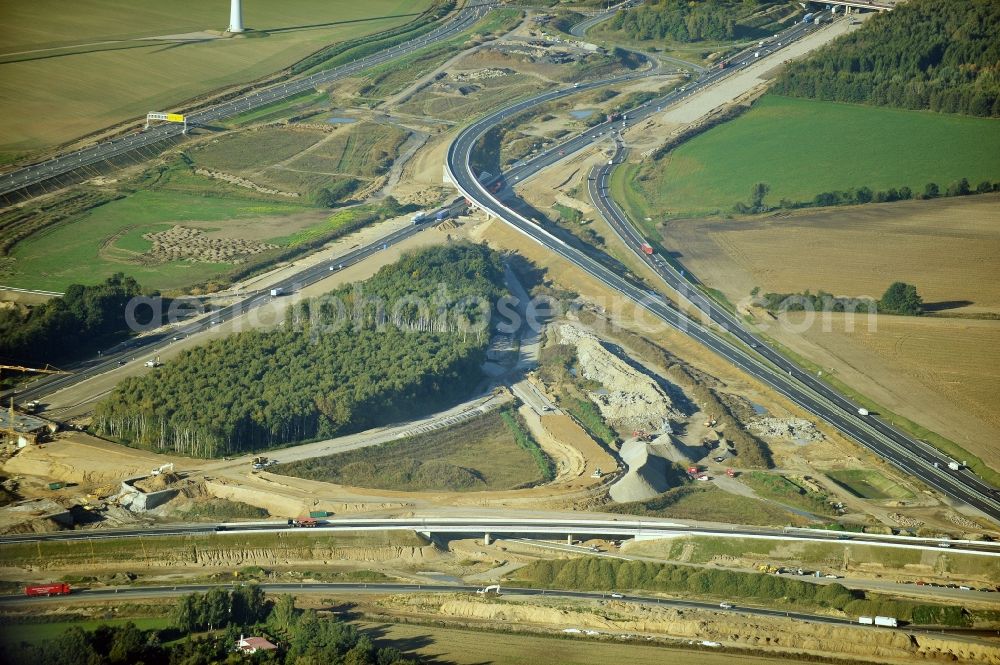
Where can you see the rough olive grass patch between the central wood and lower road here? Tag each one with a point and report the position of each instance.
(479, 454)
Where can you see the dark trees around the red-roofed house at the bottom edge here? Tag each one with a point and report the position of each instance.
(301, 636)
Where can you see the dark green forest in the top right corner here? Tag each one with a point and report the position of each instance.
(922, 55)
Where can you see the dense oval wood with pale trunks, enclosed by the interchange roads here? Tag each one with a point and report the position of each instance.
(409, 339)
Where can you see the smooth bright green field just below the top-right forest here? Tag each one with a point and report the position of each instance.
(802, 148)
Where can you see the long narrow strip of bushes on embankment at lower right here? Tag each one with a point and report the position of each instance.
(603, 574)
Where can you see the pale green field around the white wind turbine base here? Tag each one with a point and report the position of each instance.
(55, 56)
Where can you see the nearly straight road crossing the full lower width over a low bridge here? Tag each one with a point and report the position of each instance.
(511, 525)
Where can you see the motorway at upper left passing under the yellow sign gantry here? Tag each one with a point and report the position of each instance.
(19, 183)
